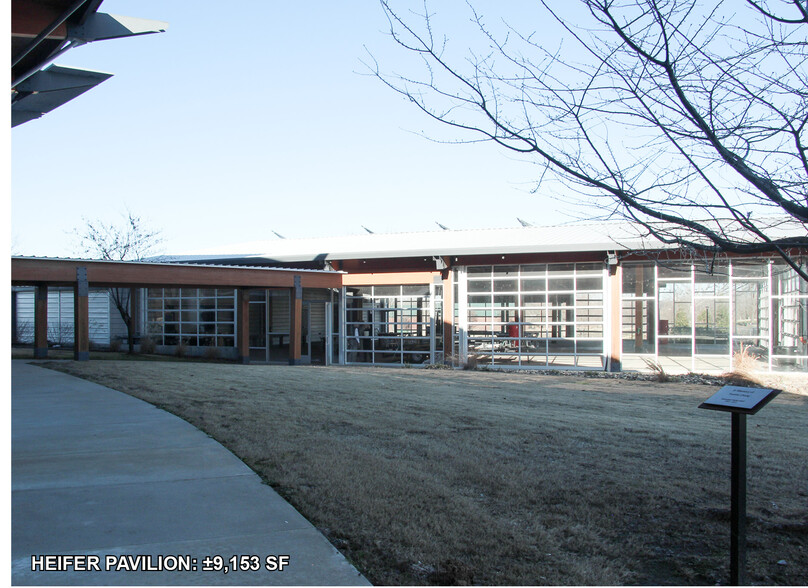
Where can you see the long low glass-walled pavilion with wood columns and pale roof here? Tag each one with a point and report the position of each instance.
(584, 297)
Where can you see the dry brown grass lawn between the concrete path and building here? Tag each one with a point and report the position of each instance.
(446, 477)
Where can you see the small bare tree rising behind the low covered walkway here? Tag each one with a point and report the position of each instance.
(131, 240)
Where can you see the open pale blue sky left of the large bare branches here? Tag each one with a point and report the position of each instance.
(246, 118)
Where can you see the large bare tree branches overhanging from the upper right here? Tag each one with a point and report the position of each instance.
(688, 120)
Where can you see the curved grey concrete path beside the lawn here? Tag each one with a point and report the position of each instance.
(101, 474)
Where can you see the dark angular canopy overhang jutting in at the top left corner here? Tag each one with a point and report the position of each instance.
(41, 31)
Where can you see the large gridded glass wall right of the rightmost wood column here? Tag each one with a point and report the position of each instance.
(747, 313)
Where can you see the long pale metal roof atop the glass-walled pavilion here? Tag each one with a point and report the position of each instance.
(553, 239)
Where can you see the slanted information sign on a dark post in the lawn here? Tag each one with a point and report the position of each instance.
(740, 402)
